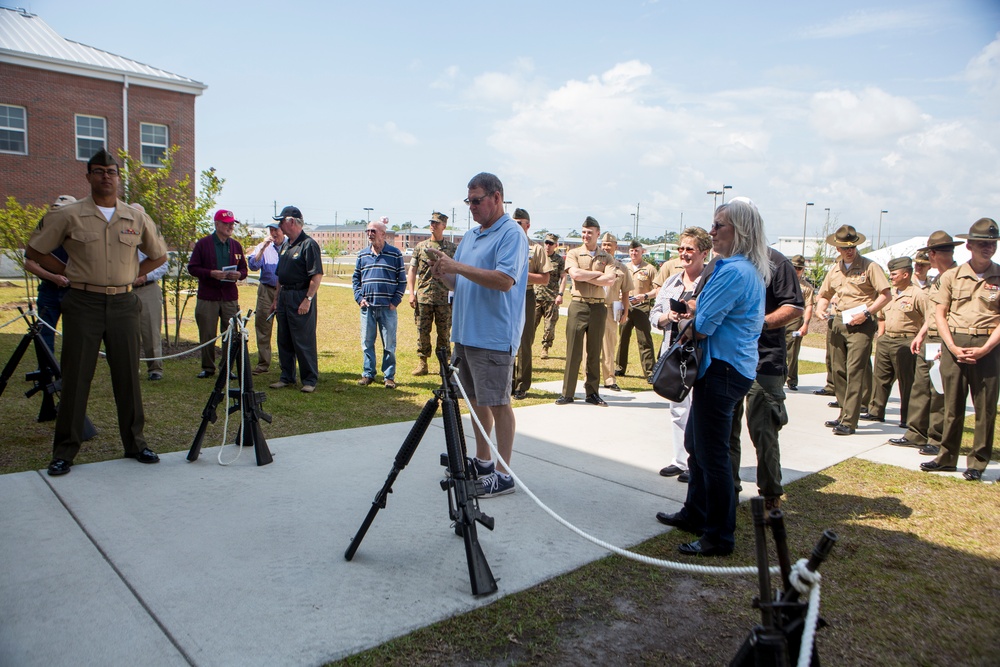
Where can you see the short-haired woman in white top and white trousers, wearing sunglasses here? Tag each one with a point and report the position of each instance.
(693, 248)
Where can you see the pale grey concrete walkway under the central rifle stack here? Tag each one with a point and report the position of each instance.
(199, 564)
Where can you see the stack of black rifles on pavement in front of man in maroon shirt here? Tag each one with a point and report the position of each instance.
(249, 432)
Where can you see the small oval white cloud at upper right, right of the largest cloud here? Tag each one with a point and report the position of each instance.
(872, 114)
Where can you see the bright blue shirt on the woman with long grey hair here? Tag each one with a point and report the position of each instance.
(731, 313)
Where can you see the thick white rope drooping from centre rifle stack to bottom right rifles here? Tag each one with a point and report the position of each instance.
(804, 581)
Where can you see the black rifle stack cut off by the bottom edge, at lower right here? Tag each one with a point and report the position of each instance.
(777, 640)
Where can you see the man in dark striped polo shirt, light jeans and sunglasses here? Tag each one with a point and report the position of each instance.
(379, 284)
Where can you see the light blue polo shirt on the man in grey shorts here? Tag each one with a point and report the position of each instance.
(483, 317)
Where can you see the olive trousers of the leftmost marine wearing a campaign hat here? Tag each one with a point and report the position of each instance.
(850, 357)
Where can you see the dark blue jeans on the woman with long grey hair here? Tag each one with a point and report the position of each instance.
(711, 499)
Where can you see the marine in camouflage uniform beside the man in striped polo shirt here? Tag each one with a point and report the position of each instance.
(428, 295)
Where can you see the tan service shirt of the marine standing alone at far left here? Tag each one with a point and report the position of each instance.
(100, 252)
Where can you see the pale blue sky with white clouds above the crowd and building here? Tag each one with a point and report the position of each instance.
(585, 108)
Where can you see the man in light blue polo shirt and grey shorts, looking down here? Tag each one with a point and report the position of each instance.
(489, 274)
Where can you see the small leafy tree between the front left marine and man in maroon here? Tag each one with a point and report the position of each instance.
(182, 216)
